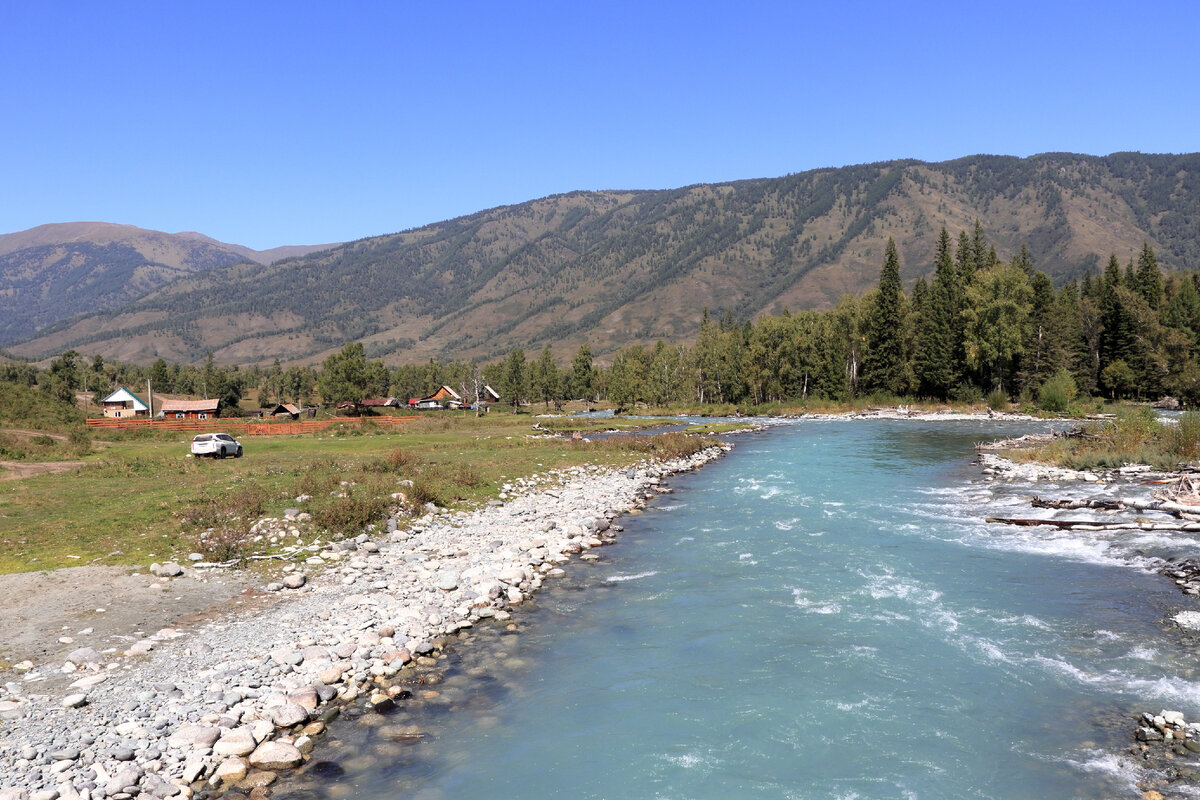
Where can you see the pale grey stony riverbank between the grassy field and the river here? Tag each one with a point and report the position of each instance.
(232, 701)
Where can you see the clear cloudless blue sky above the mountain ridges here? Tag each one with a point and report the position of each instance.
(271, 124)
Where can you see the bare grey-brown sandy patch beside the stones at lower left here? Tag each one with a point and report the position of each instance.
(45, 616)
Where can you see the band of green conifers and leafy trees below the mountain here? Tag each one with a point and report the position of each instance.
(977, 327)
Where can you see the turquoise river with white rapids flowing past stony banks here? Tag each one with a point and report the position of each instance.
(823, 613)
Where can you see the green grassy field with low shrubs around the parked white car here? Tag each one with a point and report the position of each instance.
(141, 498)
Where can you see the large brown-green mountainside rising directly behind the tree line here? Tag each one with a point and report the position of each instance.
(613, 268)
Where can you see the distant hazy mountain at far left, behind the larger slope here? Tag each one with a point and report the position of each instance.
(61, 270)
